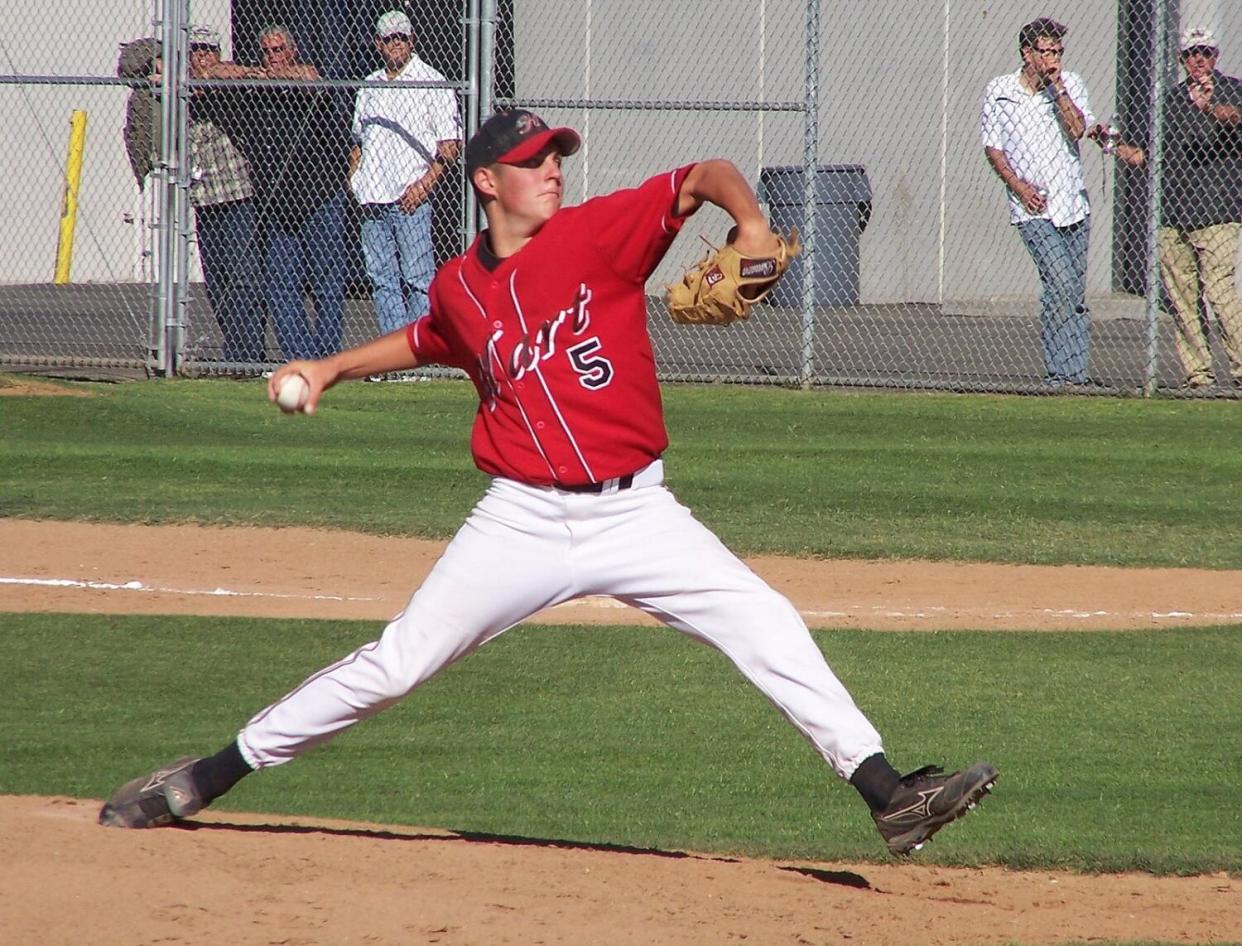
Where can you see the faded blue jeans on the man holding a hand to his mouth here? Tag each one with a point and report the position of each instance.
(1060, 255)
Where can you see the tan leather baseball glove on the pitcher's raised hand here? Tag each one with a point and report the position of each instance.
(725, 285)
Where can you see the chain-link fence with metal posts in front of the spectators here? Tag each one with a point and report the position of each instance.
(981, 210)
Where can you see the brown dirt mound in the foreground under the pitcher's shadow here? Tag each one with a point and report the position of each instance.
(248, 880)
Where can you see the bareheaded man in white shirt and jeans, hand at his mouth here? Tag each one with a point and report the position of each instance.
(1033, 121)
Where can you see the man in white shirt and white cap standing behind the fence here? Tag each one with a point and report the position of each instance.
(404, 138)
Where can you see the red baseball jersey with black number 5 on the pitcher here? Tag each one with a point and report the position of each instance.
(556, 340)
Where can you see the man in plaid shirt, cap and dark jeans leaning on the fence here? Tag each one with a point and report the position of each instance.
(224, 209)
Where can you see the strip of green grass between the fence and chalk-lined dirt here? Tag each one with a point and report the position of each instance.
(1100, 481)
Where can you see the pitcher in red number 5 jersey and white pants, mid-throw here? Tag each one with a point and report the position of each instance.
(547, 313)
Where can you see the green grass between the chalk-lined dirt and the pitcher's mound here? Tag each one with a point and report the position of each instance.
(640, 738)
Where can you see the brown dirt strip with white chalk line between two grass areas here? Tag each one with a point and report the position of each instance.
(309, 573)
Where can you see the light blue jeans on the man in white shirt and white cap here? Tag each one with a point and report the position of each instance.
(401, 264)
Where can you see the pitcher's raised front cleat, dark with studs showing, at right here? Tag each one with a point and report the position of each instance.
(927, 800)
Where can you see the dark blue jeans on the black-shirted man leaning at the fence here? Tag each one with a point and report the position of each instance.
(312, 253)
